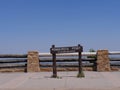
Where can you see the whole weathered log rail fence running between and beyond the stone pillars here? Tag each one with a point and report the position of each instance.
(69, 60)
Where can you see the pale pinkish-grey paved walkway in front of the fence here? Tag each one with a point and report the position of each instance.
(68, 81)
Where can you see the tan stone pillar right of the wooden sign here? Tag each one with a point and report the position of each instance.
(103, 62)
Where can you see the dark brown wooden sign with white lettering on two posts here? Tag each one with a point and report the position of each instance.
(55, 50)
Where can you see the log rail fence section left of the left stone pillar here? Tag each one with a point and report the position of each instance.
(13, 62)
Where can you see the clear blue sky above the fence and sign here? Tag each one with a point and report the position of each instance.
(37, 24)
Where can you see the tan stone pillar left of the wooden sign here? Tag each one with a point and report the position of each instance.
(33, 61)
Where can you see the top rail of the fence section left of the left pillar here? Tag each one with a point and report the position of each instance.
(13, 56)
